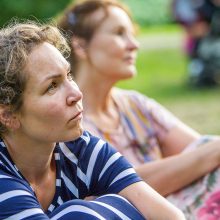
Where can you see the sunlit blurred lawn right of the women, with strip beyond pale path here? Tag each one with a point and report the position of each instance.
(162, 74)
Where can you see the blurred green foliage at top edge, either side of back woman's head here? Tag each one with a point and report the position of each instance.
(146, 12)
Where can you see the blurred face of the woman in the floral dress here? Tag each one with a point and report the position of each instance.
(113, 48)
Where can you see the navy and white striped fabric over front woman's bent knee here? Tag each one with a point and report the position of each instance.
(109, 206)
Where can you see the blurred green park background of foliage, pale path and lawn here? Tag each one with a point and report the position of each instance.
(162, 62)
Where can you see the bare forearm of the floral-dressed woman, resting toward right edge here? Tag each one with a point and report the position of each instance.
(182, 169)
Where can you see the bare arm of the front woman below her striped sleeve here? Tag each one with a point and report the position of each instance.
(151, 204)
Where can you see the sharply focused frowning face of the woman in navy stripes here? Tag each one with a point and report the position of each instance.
(52, 103)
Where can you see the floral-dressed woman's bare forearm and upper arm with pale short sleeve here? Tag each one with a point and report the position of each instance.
(174, 137)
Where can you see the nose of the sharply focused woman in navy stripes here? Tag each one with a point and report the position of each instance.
(74, 94)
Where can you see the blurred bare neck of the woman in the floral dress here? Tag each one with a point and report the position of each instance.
(99, 106)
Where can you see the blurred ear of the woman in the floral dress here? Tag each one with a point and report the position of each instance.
(79, 47)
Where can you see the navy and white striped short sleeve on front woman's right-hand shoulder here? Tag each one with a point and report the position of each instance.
(108, 171)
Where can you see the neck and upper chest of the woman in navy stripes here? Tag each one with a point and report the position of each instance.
(32, 158)
